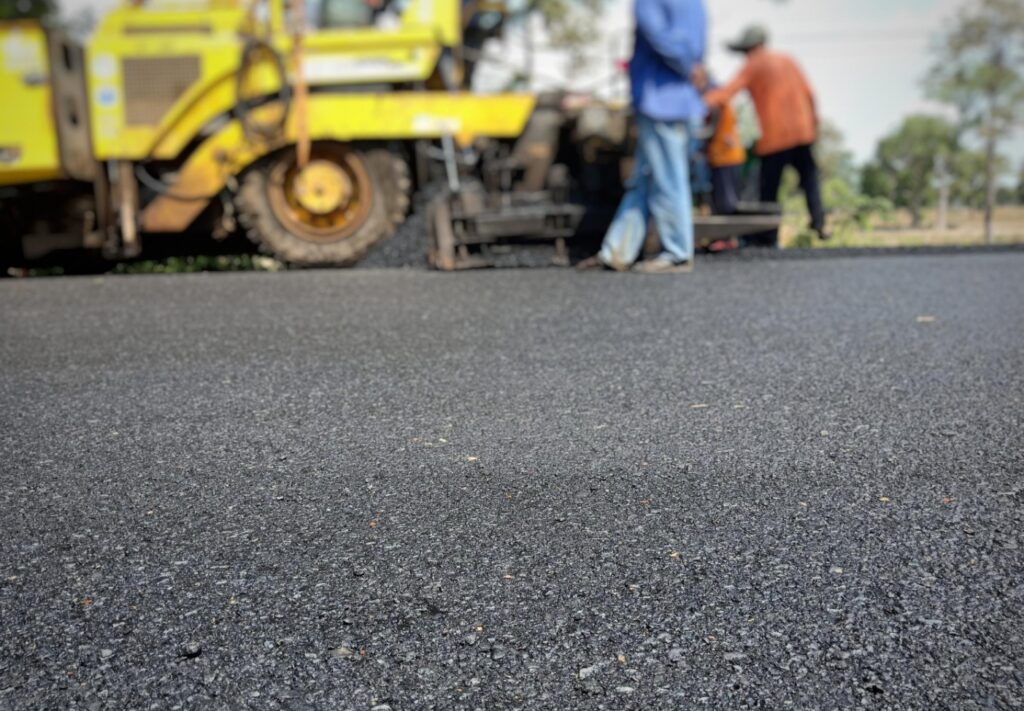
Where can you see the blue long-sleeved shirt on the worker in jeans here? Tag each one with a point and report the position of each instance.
(671, 38)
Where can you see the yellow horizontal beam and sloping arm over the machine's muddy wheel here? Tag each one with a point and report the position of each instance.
(345, 118)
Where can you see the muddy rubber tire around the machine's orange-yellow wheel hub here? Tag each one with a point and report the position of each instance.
(266, 228)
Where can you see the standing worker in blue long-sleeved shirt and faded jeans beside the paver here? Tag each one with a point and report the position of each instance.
(669, 51)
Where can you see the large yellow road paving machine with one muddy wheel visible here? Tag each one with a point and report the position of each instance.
(307, 124)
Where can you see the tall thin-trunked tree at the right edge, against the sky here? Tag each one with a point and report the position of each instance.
(979, 69)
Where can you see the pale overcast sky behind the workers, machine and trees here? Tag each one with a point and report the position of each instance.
(866, 59)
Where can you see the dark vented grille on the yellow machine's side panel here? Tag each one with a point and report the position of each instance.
(154, 85)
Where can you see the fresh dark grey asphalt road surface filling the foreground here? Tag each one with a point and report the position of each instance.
(770, 483)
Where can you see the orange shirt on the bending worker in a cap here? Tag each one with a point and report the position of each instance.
(782, 97)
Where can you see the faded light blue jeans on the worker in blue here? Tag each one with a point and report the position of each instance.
(659, 189)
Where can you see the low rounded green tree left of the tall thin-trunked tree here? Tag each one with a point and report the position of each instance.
(906, 162)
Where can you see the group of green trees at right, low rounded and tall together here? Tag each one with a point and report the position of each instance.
(933, 161)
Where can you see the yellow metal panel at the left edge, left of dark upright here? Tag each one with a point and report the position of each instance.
(28, 135)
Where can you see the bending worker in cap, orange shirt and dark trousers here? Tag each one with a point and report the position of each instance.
(785, 104)
